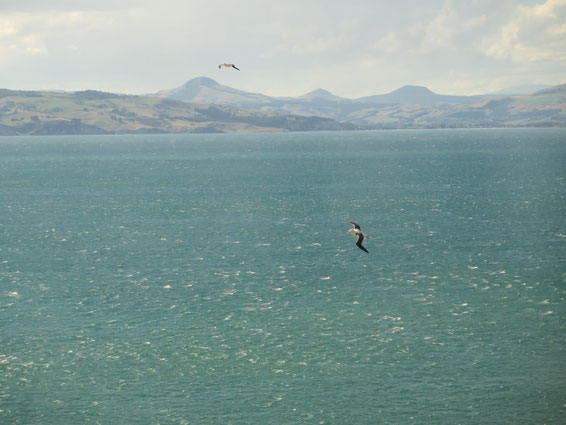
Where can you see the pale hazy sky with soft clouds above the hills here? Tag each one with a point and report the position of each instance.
(352, 48)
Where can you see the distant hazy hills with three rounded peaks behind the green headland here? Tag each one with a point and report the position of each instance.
(406, 107)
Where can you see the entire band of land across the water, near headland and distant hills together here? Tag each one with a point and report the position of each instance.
(203, 105)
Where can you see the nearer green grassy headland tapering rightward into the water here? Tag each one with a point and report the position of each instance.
(94, 112)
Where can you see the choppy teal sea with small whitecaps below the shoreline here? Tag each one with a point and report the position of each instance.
(210, 279)
